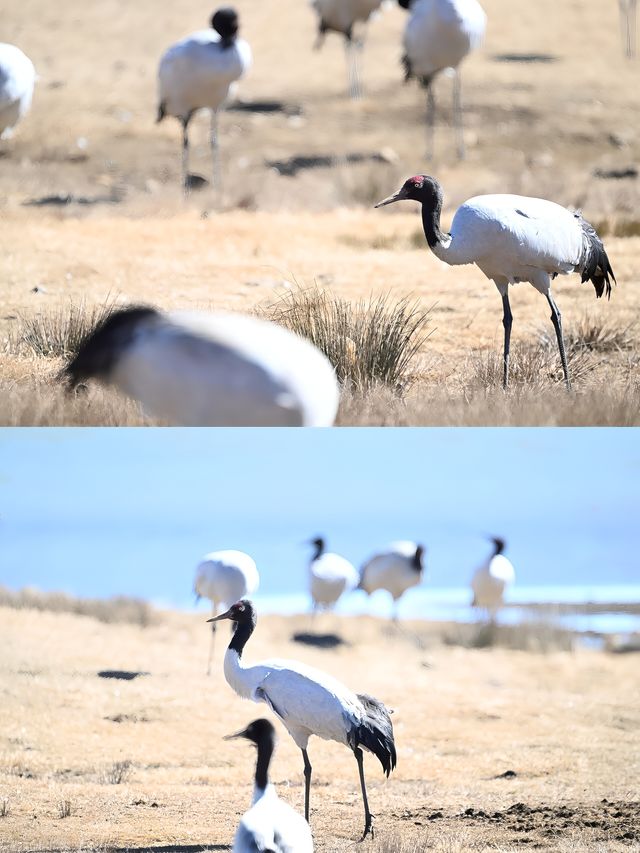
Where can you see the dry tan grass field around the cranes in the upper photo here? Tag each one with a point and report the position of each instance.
(91, 207)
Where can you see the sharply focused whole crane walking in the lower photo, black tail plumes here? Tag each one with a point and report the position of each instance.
(310, 702)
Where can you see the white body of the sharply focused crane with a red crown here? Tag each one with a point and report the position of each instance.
(515, 238)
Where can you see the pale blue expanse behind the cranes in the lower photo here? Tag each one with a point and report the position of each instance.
(102, 512)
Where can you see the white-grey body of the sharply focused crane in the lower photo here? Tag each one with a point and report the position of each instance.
(308, 701)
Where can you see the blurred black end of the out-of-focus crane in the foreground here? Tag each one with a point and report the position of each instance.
(101, 348)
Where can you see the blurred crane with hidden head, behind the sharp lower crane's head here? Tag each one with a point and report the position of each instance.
(224, 577)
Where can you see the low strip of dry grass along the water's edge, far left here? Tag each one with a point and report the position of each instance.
(120, 609)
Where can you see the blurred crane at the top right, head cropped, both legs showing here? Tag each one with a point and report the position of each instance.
(439, 35)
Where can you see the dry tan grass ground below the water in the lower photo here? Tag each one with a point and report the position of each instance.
(498, 749)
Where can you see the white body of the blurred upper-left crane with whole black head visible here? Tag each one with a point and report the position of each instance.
(198, 73)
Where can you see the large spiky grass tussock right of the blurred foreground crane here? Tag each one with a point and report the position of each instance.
(368, 343)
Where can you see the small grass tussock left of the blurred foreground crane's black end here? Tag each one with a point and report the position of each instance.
(58, 333)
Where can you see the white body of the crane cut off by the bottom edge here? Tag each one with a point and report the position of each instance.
(271, 824)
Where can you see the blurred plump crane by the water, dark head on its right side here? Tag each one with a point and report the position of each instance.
(396, 569)
